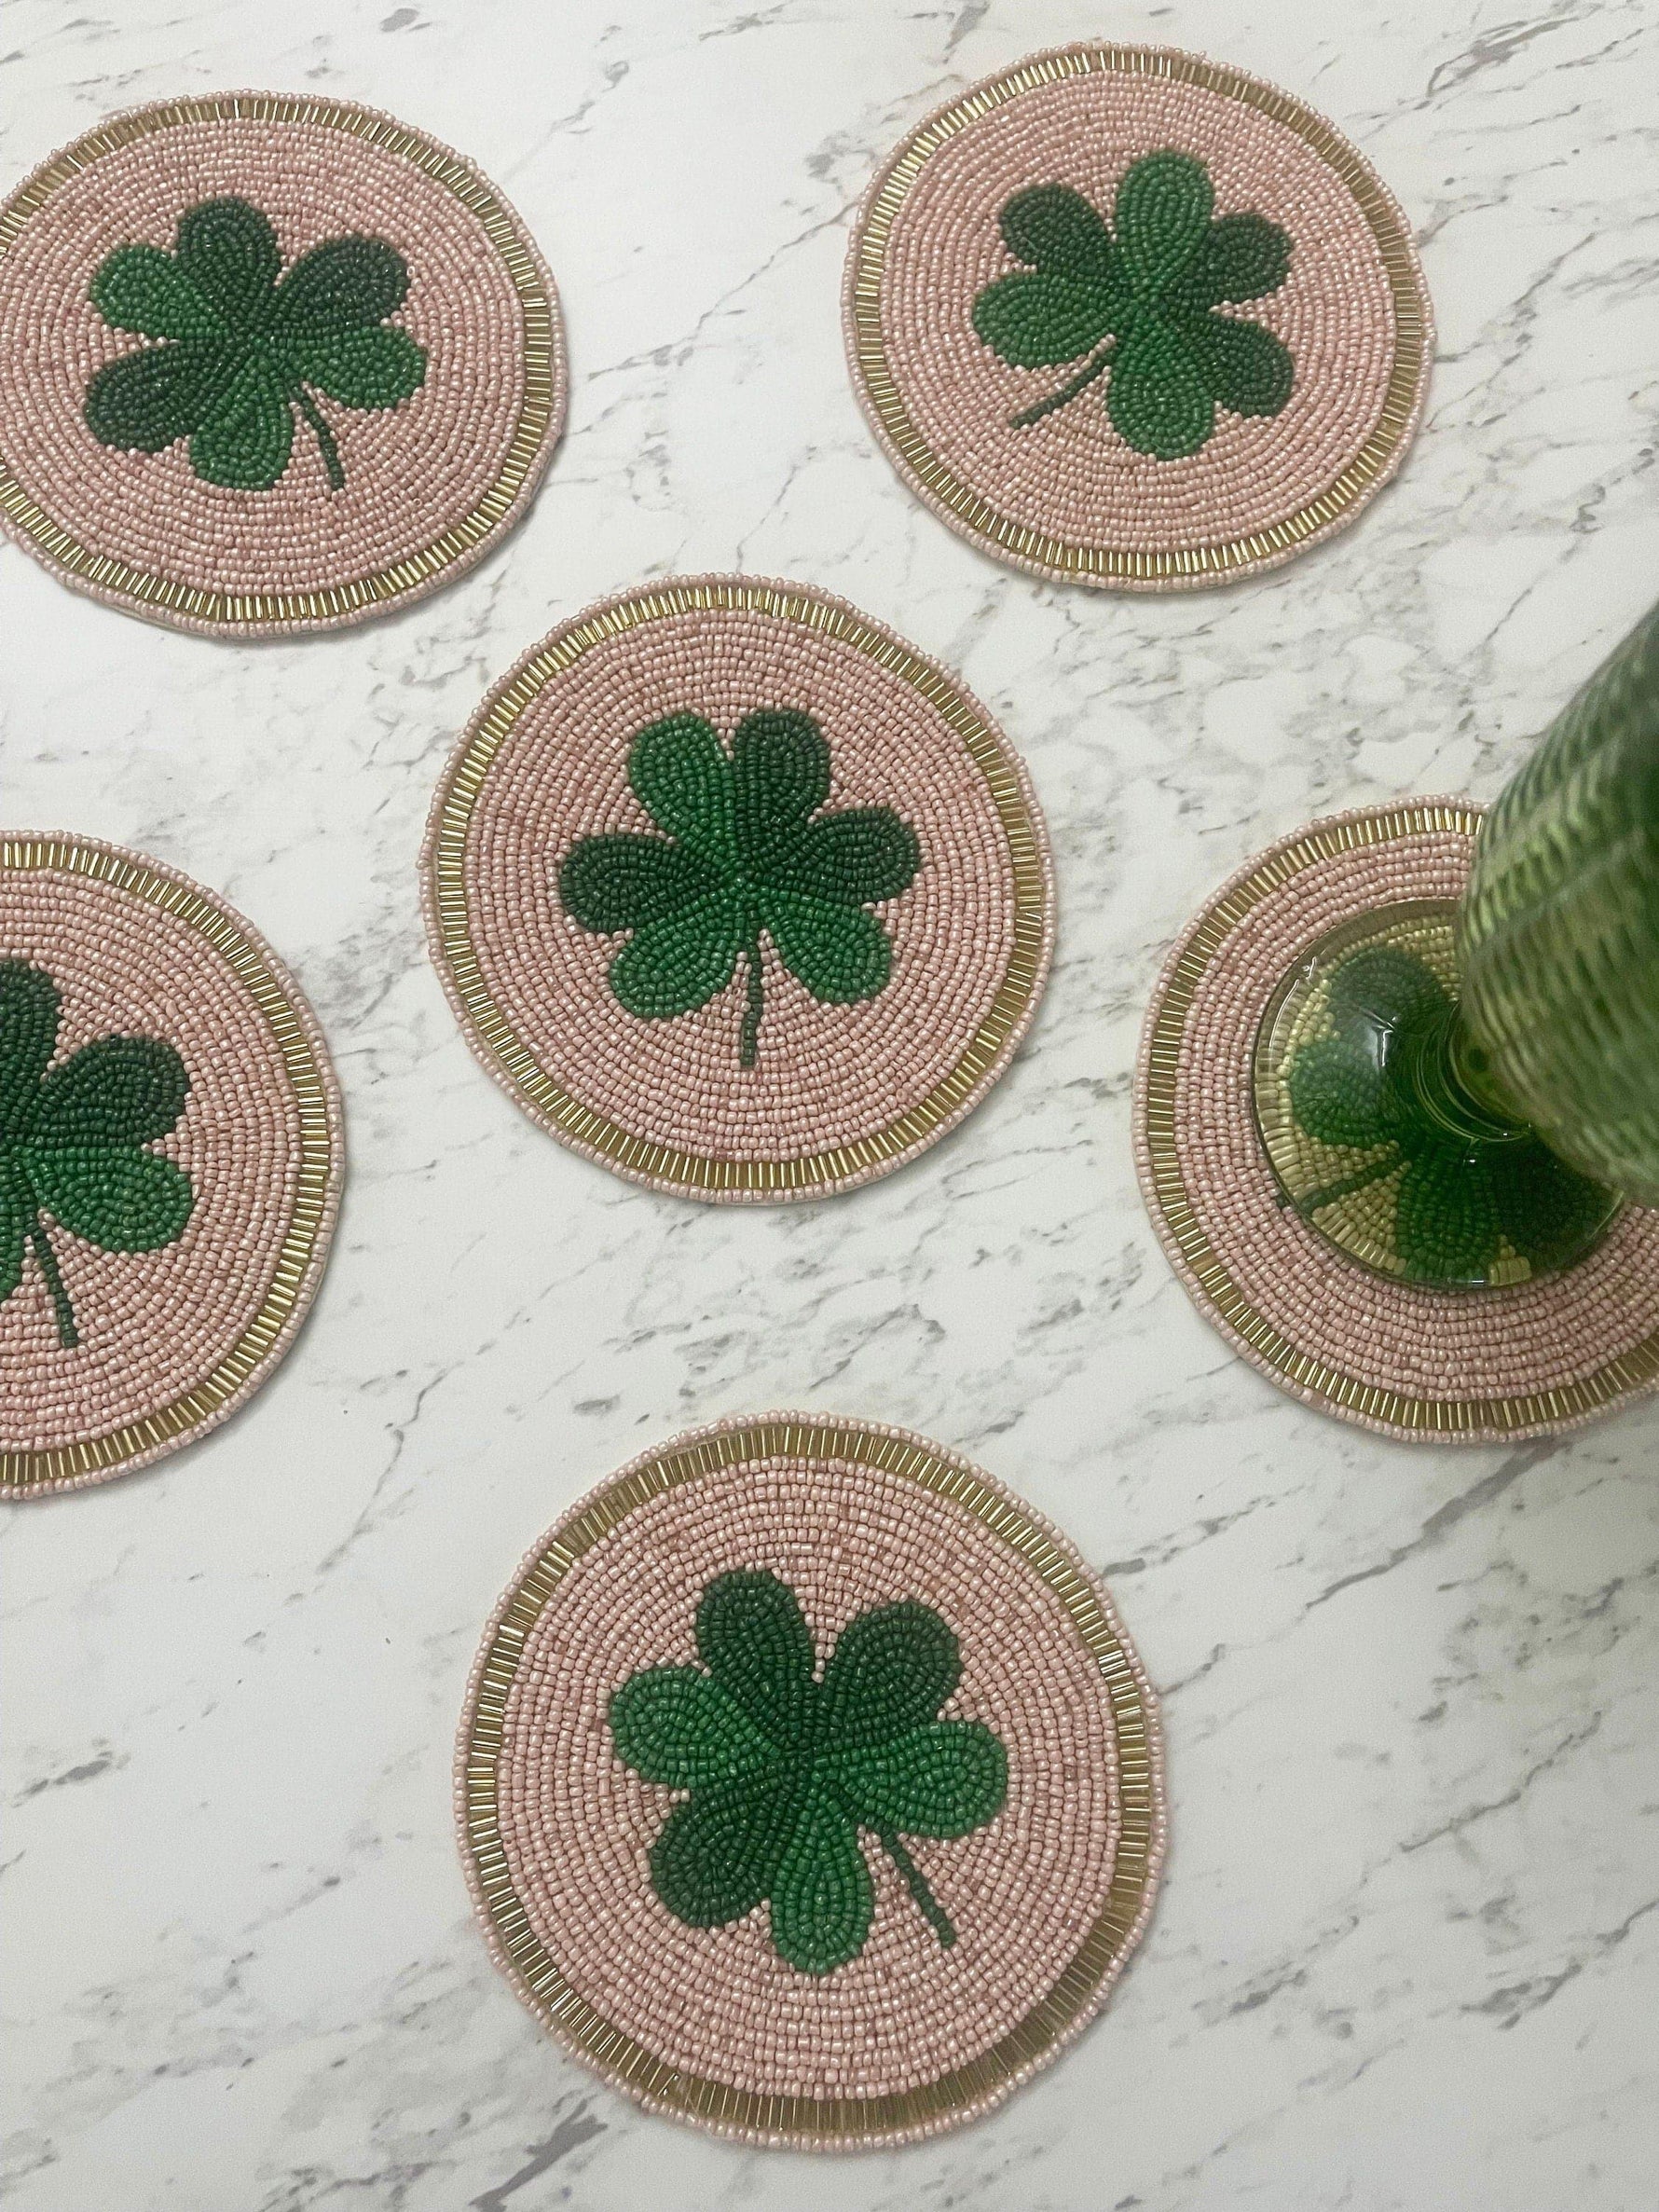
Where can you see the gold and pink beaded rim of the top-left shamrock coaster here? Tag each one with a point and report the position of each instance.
(536, 432)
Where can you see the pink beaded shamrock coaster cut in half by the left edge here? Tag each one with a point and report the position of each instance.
(169, 1162)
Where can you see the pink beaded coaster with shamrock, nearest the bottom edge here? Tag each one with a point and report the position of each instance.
(808, 1788)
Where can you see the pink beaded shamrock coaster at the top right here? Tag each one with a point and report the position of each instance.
(1134, 320)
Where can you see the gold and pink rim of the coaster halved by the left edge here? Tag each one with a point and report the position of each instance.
(317, 1182)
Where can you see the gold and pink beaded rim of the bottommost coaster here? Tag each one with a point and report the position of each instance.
(720, 2107)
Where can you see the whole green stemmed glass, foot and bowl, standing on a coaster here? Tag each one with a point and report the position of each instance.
(1463, 1094)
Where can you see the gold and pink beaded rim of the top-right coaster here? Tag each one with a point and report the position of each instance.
(1167, 570)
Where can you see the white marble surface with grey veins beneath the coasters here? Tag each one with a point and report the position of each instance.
(1406, 1954)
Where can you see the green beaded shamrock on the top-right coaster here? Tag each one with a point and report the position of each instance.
(1140, 304)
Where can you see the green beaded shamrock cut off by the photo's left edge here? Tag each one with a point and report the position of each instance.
(72, 1140)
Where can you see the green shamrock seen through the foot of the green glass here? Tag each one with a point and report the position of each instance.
(1457, 1198)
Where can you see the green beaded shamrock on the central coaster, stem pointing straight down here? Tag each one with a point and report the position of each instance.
(744, 853)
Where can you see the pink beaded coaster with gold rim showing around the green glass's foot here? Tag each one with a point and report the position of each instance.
(1412, 1361)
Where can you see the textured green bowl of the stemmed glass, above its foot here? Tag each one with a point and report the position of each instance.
(1558, 937)
